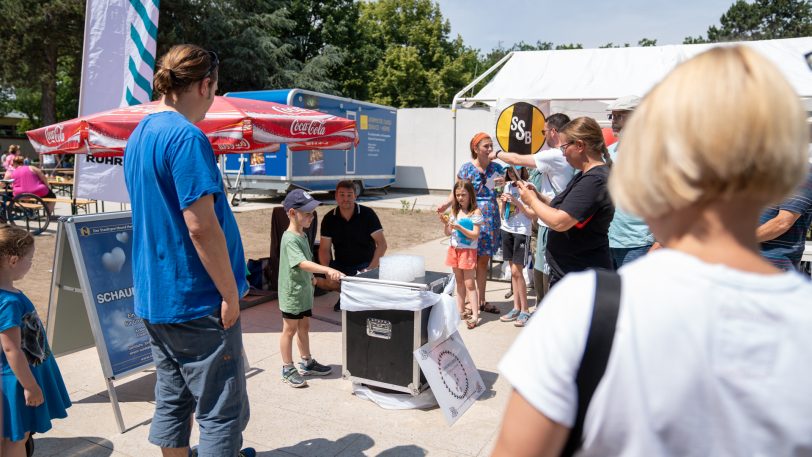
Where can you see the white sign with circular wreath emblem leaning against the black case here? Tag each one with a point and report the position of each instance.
(452, 375)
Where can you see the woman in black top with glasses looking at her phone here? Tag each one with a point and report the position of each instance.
(578, 217)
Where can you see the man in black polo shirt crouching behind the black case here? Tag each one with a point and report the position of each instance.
(355, 234)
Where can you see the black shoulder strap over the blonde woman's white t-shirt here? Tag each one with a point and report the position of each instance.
(597, 350)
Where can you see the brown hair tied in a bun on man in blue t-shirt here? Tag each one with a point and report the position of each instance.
(183, 65)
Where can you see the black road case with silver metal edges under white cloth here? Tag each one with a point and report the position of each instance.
(379, 345)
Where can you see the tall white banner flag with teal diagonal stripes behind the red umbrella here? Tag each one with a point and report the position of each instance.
(117, 67)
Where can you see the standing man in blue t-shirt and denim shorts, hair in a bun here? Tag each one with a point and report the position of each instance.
(188, 264)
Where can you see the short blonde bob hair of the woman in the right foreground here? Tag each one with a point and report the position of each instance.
(725, 123)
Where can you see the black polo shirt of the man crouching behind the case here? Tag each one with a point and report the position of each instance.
(352, 239)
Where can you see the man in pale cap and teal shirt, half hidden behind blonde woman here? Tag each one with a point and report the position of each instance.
(629, 236)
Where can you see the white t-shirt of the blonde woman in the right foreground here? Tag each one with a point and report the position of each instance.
(706, 361)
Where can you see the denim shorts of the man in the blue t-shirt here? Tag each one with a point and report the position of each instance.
(199, 359)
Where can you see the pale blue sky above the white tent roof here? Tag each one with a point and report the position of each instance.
(485, 23)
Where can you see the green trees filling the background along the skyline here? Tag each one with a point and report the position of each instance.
(395, 52)
